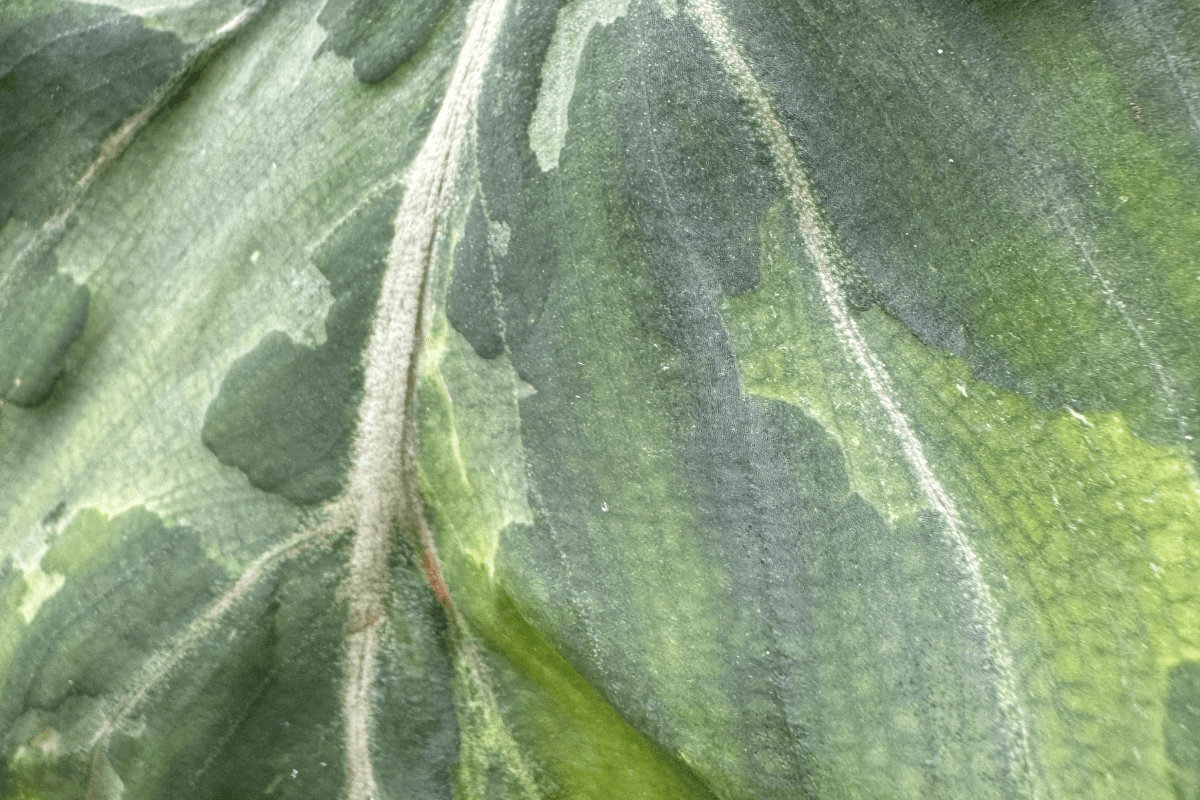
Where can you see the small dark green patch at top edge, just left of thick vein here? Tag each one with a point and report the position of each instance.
(381, 35)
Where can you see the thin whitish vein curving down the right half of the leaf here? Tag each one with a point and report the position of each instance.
(823, 248)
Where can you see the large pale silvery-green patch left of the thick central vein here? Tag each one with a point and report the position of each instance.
(185, 281)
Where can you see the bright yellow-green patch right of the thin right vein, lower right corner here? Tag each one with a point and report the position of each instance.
(1088, 536)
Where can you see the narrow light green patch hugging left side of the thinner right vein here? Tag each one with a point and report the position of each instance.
(788, 350)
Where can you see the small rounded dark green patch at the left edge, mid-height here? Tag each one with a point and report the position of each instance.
(43, 312)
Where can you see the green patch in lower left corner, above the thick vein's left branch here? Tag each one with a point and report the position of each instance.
(133, 585)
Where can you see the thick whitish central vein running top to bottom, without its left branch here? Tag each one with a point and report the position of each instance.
(381, 492)
